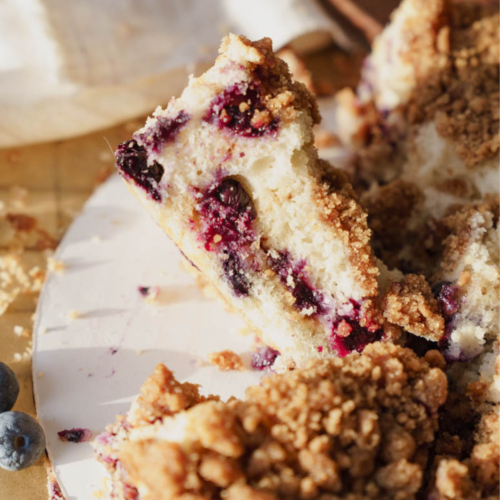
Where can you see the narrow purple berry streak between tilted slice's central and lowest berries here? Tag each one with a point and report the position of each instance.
(293, 276)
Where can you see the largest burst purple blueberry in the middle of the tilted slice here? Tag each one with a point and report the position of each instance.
(227, 215)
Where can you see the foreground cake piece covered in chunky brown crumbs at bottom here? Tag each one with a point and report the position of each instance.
(358, 427)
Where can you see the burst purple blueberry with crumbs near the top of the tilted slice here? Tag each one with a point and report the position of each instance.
(240, 108)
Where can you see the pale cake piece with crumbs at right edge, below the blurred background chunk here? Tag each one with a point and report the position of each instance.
(468, 289)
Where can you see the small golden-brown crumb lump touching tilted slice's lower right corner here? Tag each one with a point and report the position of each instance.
(412, 305)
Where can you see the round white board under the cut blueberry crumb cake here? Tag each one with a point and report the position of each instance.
(92, 366)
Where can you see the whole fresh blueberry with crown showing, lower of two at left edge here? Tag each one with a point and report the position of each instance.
(22, 440)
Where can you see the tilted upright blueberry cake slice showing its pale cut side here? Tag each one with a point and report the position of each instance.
(230, 173)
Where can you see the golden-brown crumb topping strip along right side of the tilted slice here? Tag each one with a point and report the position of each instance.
(337, 204)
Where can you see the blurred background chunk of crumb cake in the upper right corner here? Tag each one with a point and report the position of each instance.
(424, 124)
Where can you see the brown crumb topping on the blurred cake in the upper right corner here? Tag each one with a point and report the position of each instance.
(459, 86)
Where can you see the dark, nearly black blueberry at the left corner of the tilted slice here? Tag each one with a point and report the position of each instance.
(132, 163)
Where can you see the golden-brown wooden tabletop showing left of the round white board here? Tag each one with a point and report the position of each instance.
(58, 178)
